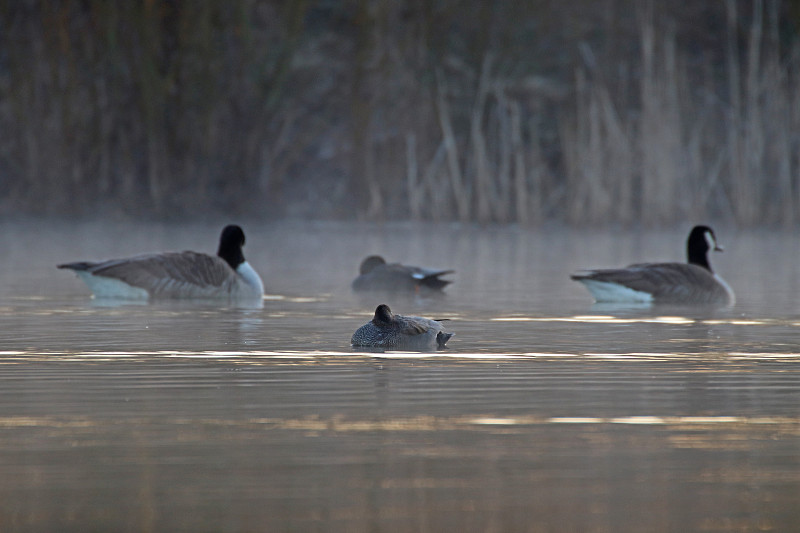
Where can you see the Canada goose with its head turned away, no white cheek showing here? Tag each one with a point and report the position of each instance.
(177, 274)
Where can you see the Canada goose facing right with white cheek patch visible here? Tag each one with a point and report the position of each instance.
(693, 282)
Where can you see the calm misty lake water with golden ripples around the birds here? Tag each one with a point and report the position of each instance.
(546, 413)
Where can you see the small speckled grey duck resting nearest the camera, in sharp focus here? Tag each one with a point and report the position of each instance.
(387, 330)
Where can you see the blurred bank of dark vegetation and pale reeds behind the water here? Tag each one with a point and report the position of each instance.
(581, 112)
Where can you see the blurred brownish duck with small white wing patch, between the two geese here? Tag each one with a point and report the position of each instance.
(375, 274)
